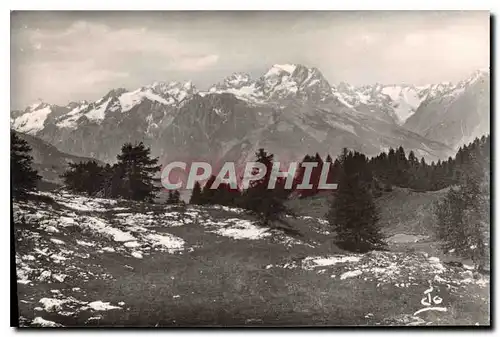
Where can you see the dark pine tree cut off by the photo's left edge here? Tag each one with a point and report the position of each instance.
(23, 177)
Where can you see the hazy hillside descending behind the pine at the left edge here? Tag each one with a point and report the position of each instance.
(48, 160)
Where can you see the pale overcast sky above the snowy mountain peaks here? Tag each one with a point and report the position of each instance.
(68, 56)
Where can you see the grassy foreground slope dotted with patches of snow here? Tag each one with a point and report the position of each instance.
(217, 280)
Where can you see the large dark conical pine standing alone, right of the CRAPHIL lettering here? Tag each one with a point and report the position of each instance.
(353, 213)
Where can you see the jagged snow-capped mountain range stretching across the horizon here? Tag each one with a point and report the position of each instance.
(290, 110)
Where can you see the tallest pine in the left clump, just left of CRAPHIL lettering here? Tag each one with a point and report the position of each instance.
(137, 170)
